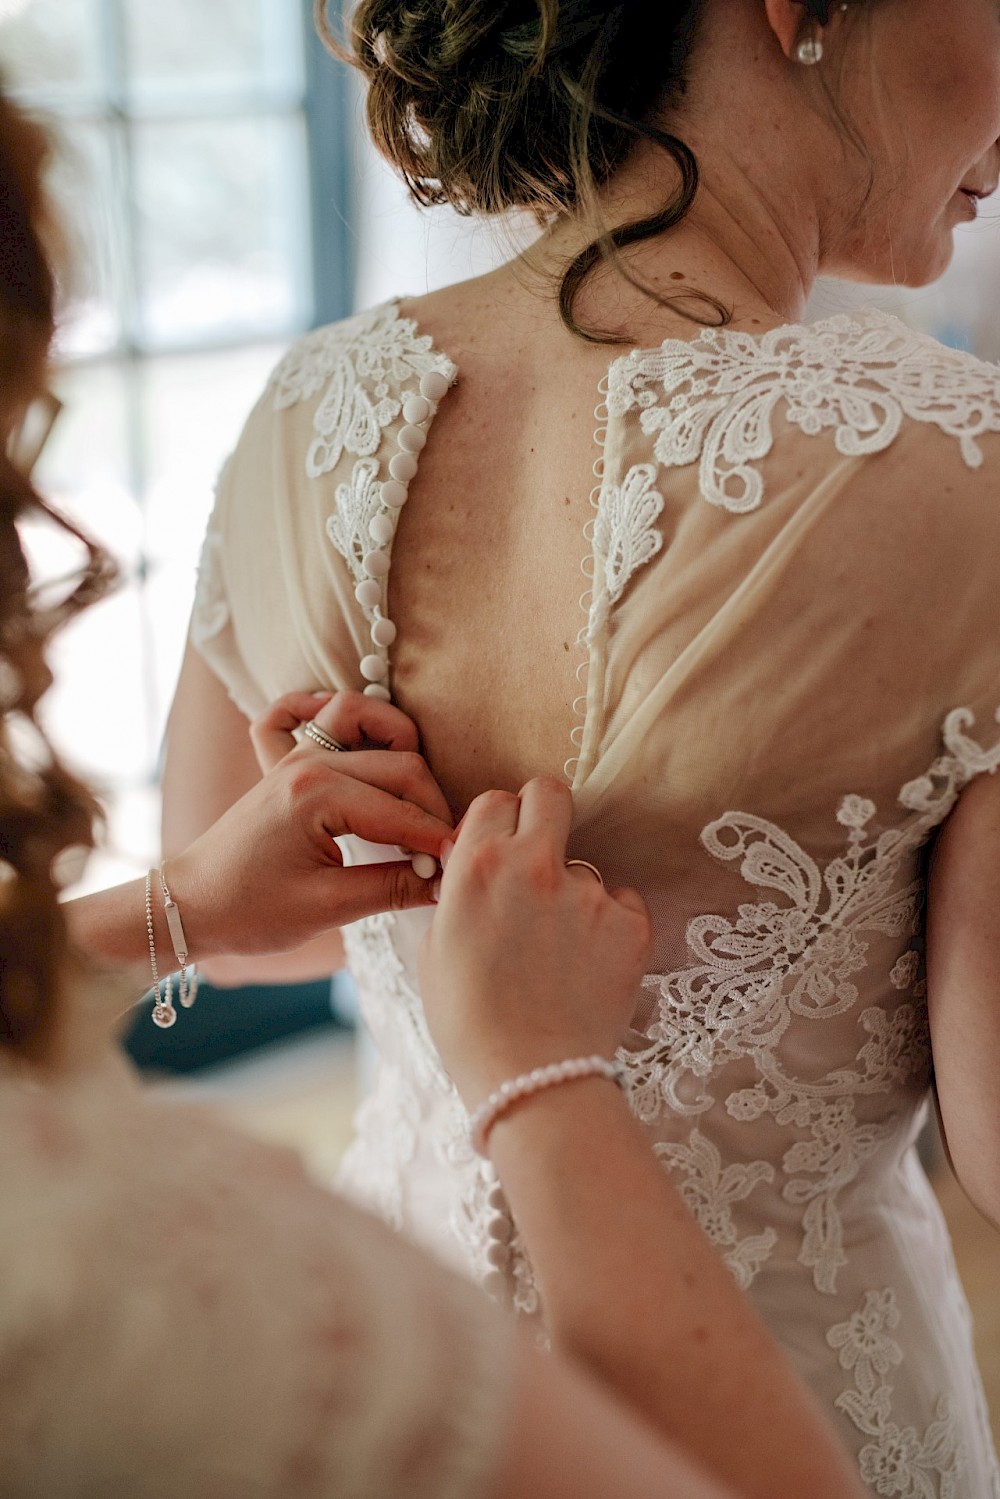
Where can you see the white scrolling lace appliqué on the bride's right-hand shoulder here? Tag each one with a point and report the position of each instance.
(716, 398)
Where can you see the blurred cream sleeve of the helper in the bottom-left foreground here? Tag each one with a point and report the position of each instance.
(182, 1312)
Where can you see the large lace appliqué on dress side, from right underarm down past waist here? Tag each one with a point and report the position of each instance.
(797, 960)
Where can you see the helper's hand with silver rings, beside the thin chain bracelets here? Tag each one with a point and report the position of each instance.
(268, 876)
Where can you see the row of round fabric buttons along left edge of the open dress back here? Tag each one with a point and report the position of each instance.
(371, 593)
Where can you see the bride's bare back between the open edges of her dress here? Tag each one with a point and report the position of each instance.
(487, 578)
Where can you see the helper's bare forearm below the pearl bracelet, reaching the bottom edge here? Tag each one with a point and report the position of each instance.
(632, 1288)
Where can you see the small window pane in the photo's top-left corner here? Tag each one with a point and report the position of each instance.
(52, 46)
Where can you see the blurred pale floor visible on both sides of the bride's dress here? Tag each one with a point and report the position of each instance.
(304, 1095)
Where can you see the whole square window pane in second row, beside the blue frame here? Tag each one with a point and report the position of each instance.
(223, 208)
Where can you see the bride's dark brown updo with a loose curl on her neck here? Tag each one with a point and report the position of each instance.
(491, 106)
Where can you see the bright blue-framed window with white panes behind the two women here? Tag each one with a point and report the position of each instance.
(202, 170)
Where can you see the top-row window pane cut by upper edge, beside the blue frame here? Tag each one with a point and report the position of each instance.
(211, 49)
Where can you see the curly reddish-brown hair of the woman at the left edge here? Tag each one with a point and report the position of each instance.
(43, 809)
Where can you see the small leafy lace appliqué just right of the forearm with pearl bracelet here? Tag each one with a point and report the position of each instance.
(710, 1189)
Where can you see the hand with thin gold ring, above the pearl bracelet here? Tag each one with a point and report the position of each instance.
(527, 963)
